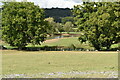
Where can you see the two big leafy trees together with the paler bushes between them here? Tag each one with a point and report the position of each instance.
(24, 23)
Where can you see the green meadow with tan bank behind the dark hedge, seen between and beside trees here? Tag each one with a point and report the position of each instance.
(67, 42)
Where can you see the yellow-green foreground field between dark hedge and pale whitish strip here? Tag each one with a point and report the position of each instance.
(22, 62)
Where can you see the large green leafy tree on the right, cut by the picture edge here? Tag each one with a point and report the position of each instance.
(99, 22)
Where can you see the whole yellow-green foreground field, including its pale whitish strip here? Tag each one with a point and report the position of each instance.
(65, 64)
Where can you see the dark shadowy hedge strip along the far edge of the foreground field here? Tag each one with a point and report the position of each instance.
(53, 48)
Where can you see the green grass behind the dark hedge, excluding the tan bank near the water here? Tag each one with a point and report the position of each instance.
(64, 42)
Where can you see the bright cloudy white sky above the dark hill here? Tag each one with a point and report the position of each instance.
(55, 3)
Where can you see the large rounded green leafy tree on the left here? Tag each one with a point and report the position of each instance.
(23, 23)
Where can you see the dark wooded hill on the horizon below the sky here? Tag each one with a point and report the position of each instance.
(57, 13)
